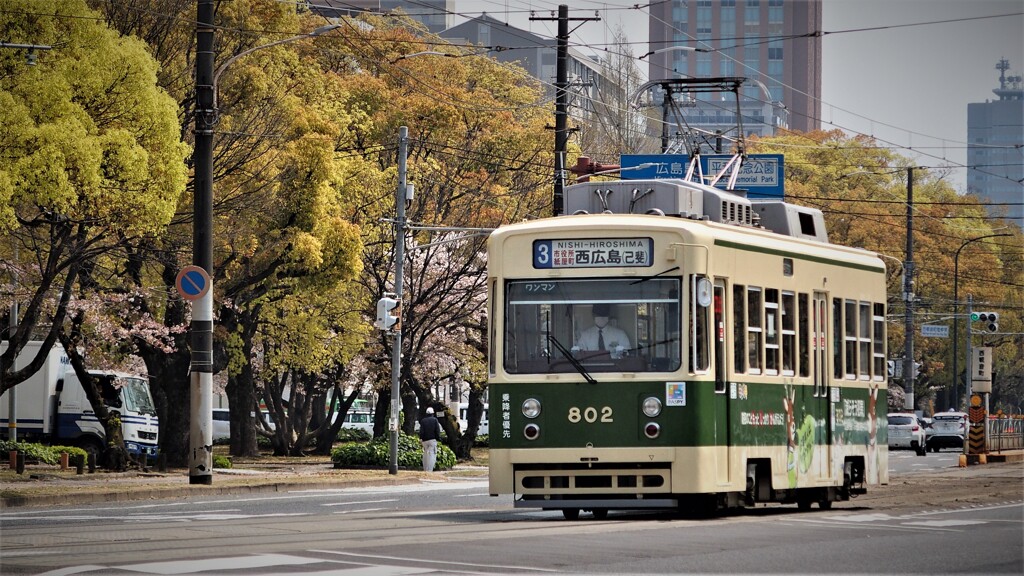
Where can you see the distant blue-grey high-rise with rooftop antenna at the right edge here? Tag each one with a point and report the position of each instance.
(996, 138)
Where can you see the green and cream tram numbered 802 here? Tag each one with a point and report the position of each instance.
(747, 361)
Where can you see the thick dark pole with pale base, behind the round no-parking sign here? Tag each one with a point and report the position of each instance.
(201, 386)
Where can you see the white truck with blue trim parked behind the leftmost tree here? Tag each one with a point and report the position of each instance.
(52, 406)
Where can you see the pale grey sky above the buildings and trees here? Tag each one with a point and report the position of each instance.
(907, 86)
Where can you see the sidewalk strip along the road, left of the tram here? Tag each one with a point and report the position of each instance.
(44, 485)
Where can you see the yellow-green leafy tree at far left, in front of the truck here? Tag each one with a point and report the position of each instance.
(92, 157)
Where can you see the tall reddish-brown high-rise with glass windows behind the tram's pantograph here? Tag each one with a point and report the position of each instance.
(771, 43)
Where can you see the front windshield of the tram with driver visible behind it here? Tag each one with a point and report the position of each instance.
(592, 325)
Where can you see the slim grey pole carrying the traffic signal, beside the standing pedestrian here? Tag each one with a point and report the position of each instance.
(401, 197)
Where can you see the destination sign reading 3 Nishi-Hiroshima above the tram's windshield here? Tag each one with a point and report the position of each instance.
(593, 253)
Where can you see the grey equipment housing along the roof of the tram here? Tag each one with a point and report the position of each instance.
(686, 199)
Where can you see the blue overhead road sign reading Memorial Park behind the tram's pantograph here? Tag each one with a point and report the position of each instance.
(761, 175)
